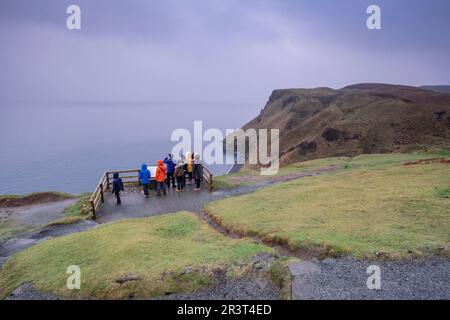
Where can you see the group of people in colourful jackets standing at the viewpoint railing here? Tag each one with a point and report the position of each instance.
(169, 174)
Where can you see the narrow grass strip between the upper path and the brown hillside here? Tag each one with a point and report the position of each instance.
(250, 176)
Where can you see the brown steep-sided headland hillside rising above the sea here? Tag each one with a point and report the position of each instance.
(362, 118)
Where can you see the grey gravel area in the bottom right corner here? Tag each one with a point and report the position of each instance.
(346, 279)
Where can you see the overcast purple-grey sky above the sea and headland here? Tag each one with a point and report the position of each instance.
(215, 50)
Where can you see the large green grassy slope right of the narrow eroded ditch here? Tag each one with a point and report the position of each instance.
(377, 205)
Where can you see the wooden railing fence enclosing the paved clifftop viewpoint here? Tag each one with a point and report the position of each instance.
(129, 177)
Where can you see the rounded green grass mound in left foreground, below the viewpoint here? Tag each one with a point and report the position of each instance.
(156, 250)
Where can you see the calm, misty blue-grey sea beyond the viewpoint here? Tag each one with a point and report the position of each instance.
(67, 146)
